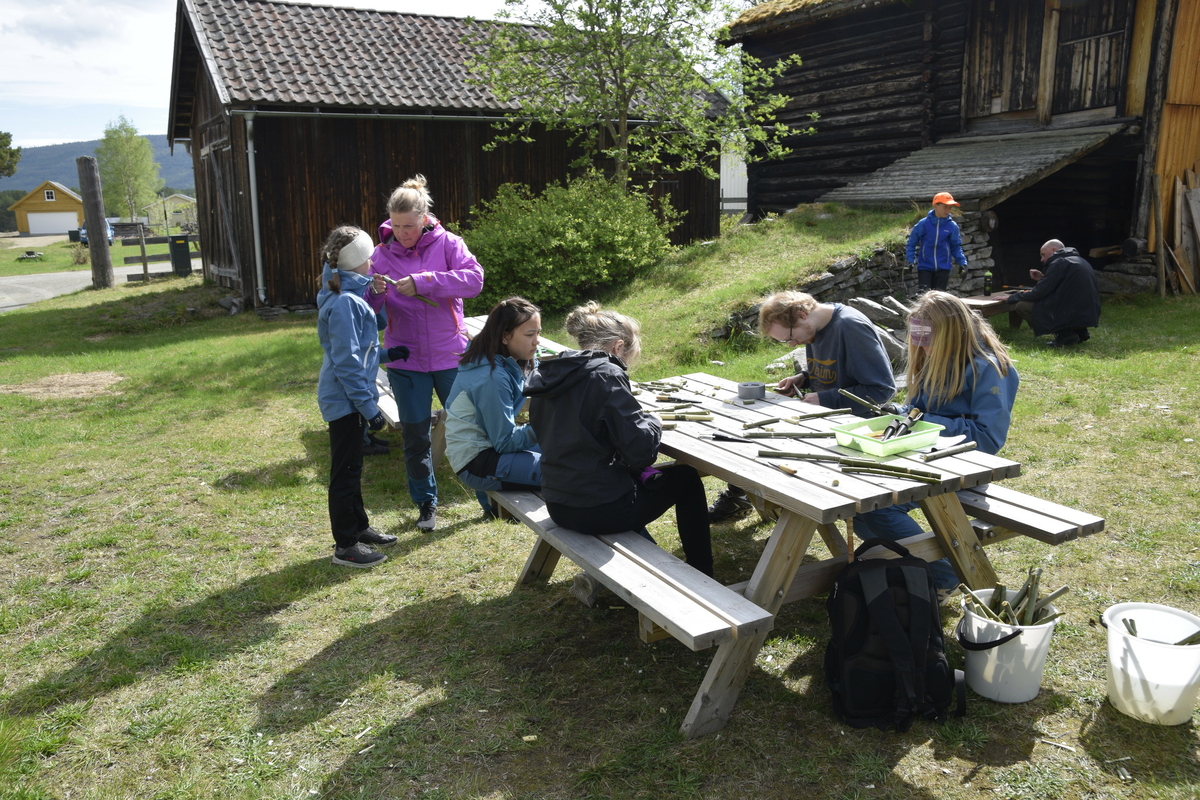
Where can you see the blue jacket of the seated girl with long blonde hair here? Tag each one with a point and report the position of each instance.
(982, 411)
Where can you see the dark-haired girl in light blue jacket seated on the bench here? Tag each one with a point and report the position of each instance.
(485, 446)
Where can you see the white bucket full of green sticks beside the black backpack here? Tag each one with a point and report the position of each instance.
(1005, 663)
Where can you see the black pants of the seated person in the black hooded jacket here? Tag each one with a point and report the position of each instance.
(680, 486)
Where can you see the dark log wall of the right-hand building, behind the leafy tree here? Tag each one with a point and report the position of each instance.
(885, 82)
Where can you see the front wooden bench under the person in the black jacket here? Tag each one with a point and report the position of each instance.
(669, 594)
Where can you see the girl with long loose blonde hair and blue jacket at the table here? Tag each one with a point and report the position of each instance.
(961, 377)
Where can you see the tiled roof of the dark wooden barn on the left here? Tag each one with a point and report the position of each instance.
(259, 52)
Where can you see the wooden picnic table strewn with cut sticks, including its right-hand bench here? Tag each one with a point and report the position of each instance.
(811, 503)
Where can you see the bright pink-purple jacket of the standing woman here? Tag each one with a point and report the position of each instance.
(443, 270)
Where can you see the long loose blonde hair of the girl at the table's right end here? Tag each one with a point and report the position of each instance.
(959, 338)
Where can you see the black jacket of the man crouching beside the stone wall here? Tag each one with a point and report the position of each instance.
(1066, 298)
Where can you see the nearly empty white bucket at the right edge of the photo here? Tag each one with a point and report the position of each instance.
(1151, 679)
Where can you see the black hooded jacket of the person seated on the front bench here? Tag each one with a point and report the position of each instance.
(595, 436)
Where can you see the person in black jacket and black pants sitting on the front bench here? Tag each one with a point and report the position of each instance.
(598, 446)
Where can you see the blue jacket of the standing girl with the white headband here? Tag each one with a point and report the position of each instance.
(350, 336)
